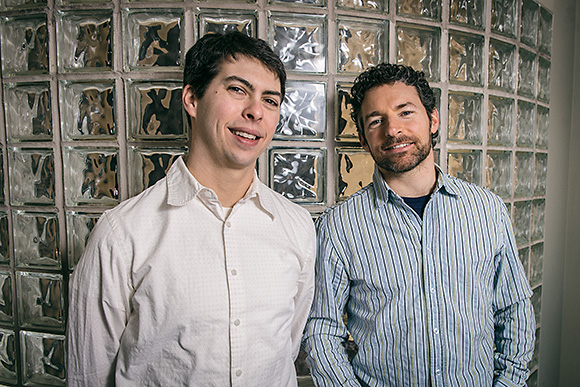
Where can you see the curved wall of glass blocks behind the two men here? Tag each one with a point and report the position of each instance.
(91, 116)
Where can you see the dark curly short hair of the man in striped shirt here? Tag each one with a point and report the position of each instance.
(388, 74)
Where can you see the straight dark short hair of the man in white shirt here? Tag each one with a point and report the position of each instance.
(203, 60)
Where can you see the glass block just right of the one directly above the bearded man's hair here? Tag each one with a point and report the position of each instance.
(466, 58)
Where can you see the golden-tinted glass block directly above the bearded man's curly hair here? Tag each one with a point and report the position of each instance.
(420, 48)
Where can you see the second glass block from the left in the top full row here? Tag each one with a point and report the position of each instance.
(84, 40)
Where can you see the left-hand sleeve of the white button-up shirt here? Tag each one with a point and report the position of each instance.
(99, 300)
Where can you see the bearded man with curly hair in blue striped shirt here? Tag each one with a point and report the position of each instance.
(423, 265)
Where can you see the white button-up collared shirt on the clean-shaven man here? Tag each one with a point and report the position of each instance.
(175, 290)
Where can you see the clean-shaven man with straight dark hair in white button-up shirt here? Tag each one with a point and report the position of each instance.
(206, 278)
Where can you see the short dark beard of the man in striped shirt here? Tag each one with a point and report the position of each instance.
(403, 162)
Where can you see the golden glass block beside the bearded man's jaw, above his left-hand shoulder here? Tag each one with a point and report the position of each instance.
(355, 171)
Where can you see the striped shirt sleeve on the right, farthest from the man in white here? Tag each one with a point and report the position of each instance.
(513, 313)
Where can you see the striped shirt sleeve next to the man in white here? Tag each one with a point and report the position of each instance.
(325, 329)
